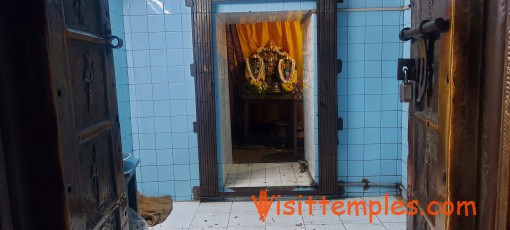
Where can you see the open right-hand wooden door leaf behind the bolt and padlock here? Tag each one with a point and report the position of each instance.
(427, 161)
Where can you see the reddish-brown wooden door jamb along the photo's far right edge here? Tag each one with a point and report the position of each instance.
(493, 83)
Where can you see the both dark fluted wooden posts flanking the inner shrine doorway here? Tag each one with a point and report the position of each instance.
(201, 13)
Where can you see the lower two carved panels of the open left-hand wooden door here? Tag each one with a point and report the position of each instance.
(94, 104)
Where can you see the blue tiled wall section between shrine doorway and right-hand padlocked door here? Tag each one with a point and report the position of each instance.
(370, 145)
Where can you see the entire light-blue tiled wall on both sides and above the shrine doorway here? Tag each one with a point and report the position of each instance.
(161, 106)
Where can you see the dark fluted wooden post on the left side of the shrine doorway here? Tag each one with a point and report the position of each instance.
(201, 13)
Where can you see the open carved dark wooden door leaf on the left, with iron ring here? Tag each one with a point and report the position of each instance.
(83, 84)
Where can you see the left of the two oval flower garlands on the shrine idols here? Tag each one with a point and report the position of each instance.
(255, 72)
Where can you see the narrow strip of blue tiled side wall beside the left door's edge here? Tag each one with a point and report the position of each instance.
(121, 74)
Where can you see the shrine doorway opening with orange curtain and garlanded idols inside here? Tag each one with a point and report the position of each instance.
(266, 135)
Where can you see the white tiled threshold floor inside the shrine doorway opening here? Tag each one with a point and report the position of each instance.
(267, 174)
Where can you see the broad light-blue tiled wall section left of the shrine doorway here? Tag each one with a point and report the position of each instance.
(159, 52)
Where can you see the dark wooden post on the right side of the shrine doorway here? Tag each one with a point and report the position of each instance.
(327, 96)
